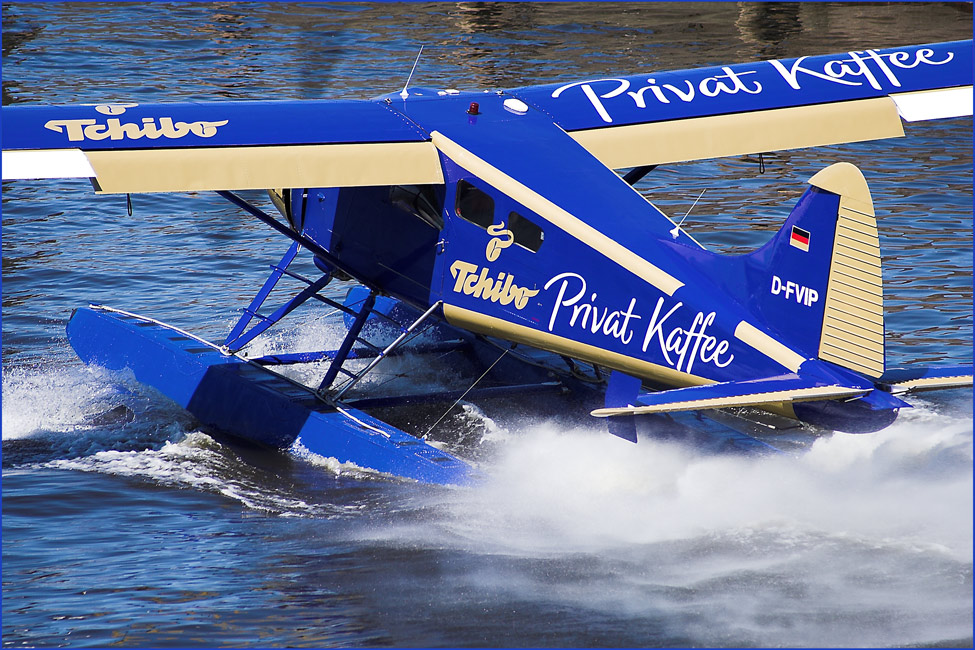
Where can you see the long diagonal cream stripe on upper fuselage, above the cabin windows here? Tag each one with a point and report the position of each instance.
(557, 216)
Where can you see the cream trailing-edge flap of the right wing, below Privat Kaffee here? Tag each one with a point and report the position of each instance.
(742, 133)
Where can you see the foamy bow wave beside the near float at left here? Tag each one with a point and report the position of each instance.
(47, 423)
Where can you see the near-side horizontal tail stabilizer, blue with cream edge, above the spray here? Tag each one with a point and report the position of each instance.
(769, 391)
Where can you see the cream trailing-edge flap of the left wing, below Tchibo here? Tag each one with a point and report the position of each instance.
(239, 168)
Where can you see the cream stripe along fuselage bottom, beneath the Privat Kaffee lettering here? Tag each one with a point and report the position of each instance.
(491, 326)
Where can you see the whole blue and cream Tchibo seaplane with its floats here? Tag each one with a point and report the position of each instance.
(504, 227)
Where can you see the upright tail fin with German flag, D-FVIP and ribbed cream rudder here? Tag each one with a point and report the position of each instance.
(817, 284)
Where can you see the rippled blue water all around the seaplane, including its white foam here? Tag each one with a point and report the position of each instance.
(151, 533)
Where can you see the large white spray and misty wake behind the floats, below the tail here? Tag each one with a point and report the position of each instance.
(870, 533)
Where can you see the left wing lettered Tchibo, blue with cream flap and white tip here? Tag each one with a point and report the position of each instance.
(218, 145)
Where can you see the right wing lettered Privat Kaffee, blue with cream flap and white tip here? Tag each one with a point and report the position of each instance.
(665, 117)
